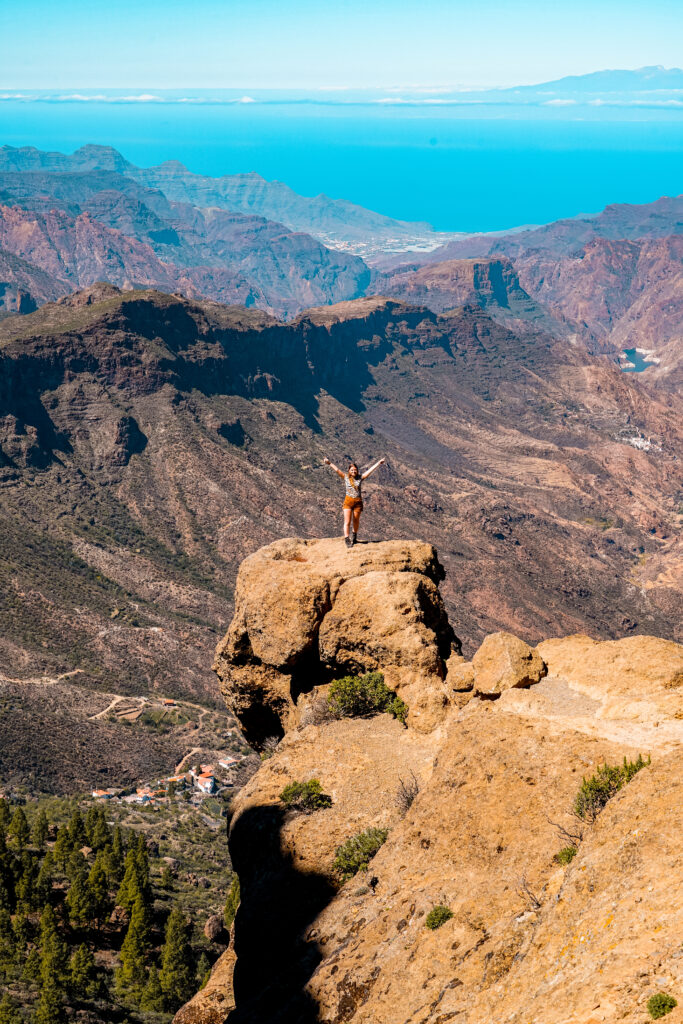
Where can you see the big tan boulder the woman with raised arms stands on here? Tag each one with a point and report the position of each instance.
(310, 611)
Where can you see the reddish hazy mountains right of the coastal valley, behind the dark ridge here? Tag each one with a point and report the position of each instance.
(615, 280)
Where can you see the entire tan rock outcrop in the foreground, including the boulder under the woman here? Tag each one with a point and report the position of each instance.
(496, 749)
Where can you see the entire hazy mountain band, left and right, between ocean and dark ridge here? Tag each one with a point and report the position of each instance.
(614, 280)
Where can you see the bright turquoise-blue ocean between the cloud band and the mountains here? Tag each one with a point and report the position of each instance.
(459, 168)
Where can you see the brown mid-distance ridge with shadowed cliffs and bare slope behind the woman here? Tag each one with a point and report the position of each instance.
(149, 445)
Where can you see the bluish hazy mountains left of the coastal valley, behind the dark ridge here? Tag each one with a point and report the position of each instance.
(72, 221)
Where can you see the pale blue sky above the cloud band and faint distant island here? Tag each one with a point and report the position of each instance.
(307, 45)
